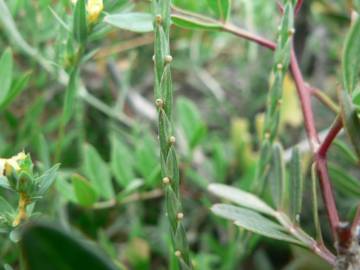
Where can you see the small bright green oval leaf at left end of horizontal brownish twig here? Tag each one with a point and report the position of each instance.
(84, 192)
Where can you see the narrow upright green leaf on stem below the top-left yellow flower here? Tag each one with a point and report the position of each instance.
(70, 96)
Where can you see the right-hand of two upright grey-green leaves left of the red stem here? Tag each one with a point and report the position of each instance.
(296, 186)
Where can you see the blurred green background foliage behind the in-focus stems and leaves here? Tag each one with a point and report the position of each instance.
(108, 189)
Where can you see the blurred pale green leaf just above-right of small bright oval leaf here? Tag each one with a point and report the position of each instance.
(97, 171)
